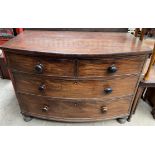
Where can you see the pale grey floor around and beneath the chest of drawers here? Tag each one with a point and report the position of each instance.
(10, 113)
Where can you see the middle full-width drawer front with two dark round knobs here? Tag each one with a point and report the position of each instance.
(75, 89)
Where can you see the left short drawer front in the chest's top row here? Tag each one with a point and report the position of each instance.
(38, 65)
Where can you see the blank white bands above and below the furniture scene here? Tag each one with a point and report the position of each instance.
(77, 14)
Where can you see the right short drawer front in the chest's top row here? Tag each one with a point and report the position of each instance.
(110, 67)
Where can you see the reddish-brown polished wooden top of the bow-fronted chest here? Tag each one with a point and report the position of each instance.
(76, 43)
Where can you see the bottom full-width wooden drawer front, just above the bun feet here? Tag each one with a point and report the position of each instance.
(74, 109)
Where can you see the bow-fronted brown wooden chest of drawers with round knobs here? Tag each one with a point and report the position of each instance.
(75, 76)
